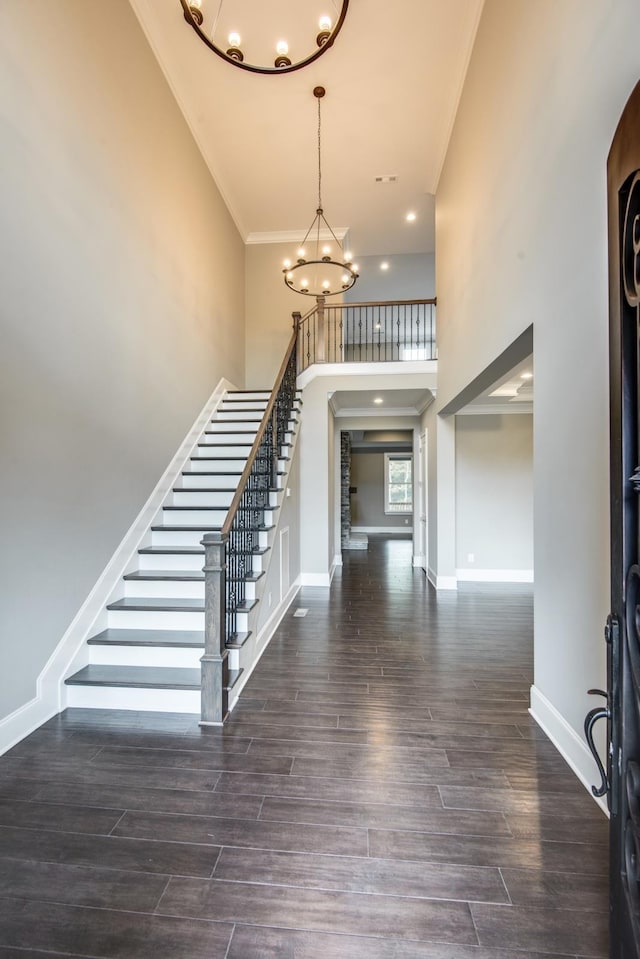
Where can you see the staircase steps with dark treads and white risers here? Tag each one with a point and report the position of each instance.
(148, 656)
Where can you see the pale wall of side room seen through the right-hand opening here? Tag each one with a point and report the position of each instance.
(494, 496)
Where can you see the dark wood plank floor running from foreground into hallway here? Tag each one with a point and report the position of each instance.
(379, 793)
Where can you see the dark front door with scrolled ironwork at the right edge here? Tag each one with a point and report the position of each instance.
(623, 627)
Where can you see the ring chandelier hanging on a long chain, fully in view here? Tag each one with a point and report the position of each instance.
(326, 269)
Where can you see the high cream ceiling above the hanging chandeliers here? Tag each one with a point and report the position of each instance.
(393, 81)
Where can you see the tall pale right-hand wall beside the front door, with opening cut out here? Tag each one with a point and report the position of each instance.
(521, 238)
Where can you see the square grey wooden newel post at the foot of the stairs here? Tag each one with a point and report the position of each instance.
(215, 665)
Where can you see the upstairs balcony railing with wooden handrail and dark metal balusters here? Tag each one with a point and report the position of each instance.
(384, 332)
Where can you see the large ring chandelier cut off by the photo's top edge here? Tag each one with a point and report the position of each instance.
(267, 37)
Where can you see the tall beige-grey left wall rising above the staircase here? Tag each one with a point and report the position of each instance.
(122, 306)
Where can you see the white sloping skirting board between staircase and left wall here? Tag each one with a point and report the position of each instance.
(50, 690)
